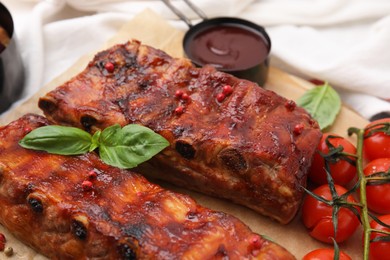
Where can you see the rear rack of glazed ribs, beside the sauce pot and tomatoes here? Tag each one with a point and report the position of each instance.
(229, 137)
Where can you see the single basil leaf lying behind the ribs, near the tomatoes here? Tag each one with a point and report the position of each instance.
(323, 103)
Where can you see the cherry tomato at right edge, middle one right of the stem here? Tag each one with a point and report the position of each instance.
(378, 195)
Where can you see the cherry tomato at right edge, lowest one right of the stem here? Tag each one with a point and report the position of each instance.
(379, 250)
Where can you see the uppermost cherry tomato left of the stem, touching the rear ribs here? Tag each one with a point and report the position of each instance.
(341, 170)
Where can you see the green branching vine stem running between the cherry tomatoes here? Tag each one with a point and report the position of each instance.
(361, 209)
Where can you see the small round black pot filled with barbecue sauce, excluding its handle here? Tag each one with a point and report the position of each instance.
(236, 46)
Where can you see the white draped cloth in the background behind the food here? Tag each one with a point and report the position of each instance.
(346, 42)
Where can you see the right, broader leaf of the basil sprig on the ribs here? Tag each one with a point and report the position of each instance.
(129, 146)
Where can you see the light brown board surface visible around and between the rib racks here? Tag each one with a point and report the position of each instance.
(155, 31)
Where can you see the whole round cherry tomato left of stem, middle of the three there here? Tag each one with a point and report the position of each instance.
(317, 216)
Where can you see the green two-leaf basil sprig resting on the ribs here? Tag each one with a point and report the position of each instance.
(120, 147)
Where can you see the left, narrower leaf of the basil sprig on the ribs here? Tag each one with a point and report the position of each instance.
(58, 140)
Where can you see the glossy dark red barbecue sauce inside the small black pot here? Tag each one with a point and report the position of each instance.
(228, 47)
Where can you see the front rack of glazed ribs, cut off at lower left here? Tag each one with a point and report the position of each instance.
(123, 216)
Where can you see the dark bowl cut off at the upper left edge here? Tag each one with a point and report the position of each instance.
(11, 67)
